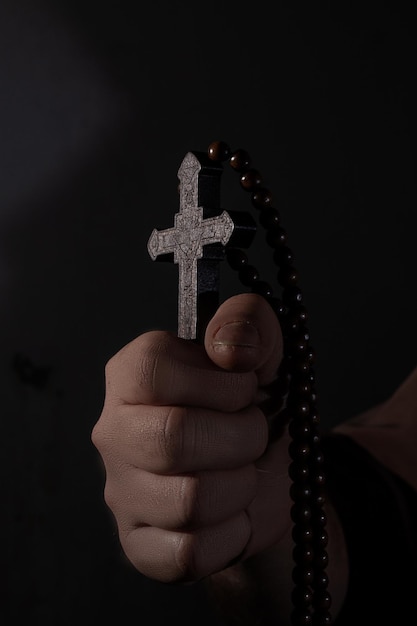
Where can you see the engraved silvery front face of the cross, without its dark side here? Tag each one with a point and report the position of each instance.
(191, 232)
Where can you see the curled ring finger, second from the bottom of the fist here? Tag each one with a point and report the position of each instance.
(179, 502)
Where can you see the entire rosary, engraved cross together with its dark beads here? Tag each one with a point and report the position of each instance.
(201, 237)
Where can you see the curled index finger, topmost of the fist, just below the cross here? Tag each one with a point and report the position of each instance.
(159, 368)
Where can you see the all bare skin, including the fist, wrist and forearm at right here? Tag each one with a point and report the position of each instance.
(196, 491)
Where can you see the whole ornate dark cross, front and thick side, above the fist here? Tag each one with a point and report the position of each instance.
(197, 241)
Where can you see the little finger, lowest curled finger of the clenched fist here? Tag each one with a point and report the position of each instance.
(170, 556)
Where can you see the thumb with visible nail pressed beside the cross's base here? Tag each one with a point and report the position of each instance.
(244, 335)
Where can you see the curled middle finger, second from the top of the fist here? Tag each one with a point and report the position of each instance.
(167, 440)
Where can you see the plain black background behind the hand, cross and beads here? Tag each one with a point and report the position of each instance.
(98, 105)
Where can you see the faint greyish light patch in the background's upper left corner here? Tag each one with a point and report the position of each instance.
(56, 104)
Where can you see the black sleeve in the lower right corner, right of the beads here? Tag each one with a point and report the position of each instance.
(378, 512)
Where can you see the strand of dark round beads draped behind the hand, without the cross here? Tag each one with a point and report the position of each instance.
(294, 399)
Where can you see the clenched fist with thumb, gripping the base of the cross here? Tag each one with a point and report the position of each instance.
(190, 477)
